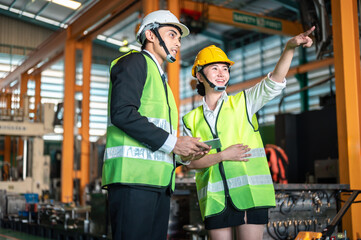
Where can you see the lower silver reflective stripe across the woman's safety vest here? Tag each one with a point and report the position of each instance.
(235, 183)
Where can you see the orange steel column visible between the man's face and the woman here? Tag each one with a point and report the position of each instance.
(174, 68)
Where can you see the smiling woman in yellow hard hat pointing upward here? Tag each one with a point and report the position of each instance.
(234, 184)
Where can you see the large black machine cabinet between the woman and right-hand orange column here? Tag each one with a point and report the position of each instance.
(310, 140)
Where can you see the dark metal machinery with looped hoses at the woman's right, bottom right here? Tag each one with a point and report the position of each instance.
(303, 207)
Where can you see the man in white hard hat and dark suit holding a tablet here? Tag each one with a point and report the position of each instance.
(139, 160)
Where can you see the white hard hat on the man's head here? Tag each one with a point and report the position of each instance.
(160, 17)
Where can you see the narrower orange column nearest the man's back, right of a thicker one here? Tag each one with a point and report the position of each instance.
(85, 145)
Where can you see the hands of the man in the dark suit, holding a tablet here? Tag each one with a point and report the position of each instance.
(190, 148)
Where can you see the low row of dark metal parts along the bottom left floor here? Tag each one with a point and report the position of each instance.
(48, 219)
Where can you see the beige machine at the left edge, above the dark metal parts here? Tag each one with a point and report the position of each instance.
(29, 171)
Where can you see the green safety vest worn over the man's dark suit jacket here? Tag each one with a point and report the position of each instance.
(126, 160)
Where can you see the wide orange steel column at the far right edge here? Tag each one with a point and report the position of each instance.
(348, 103)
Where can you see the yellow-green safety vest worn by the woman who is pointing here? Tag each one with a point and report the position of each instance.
(248, 184)
